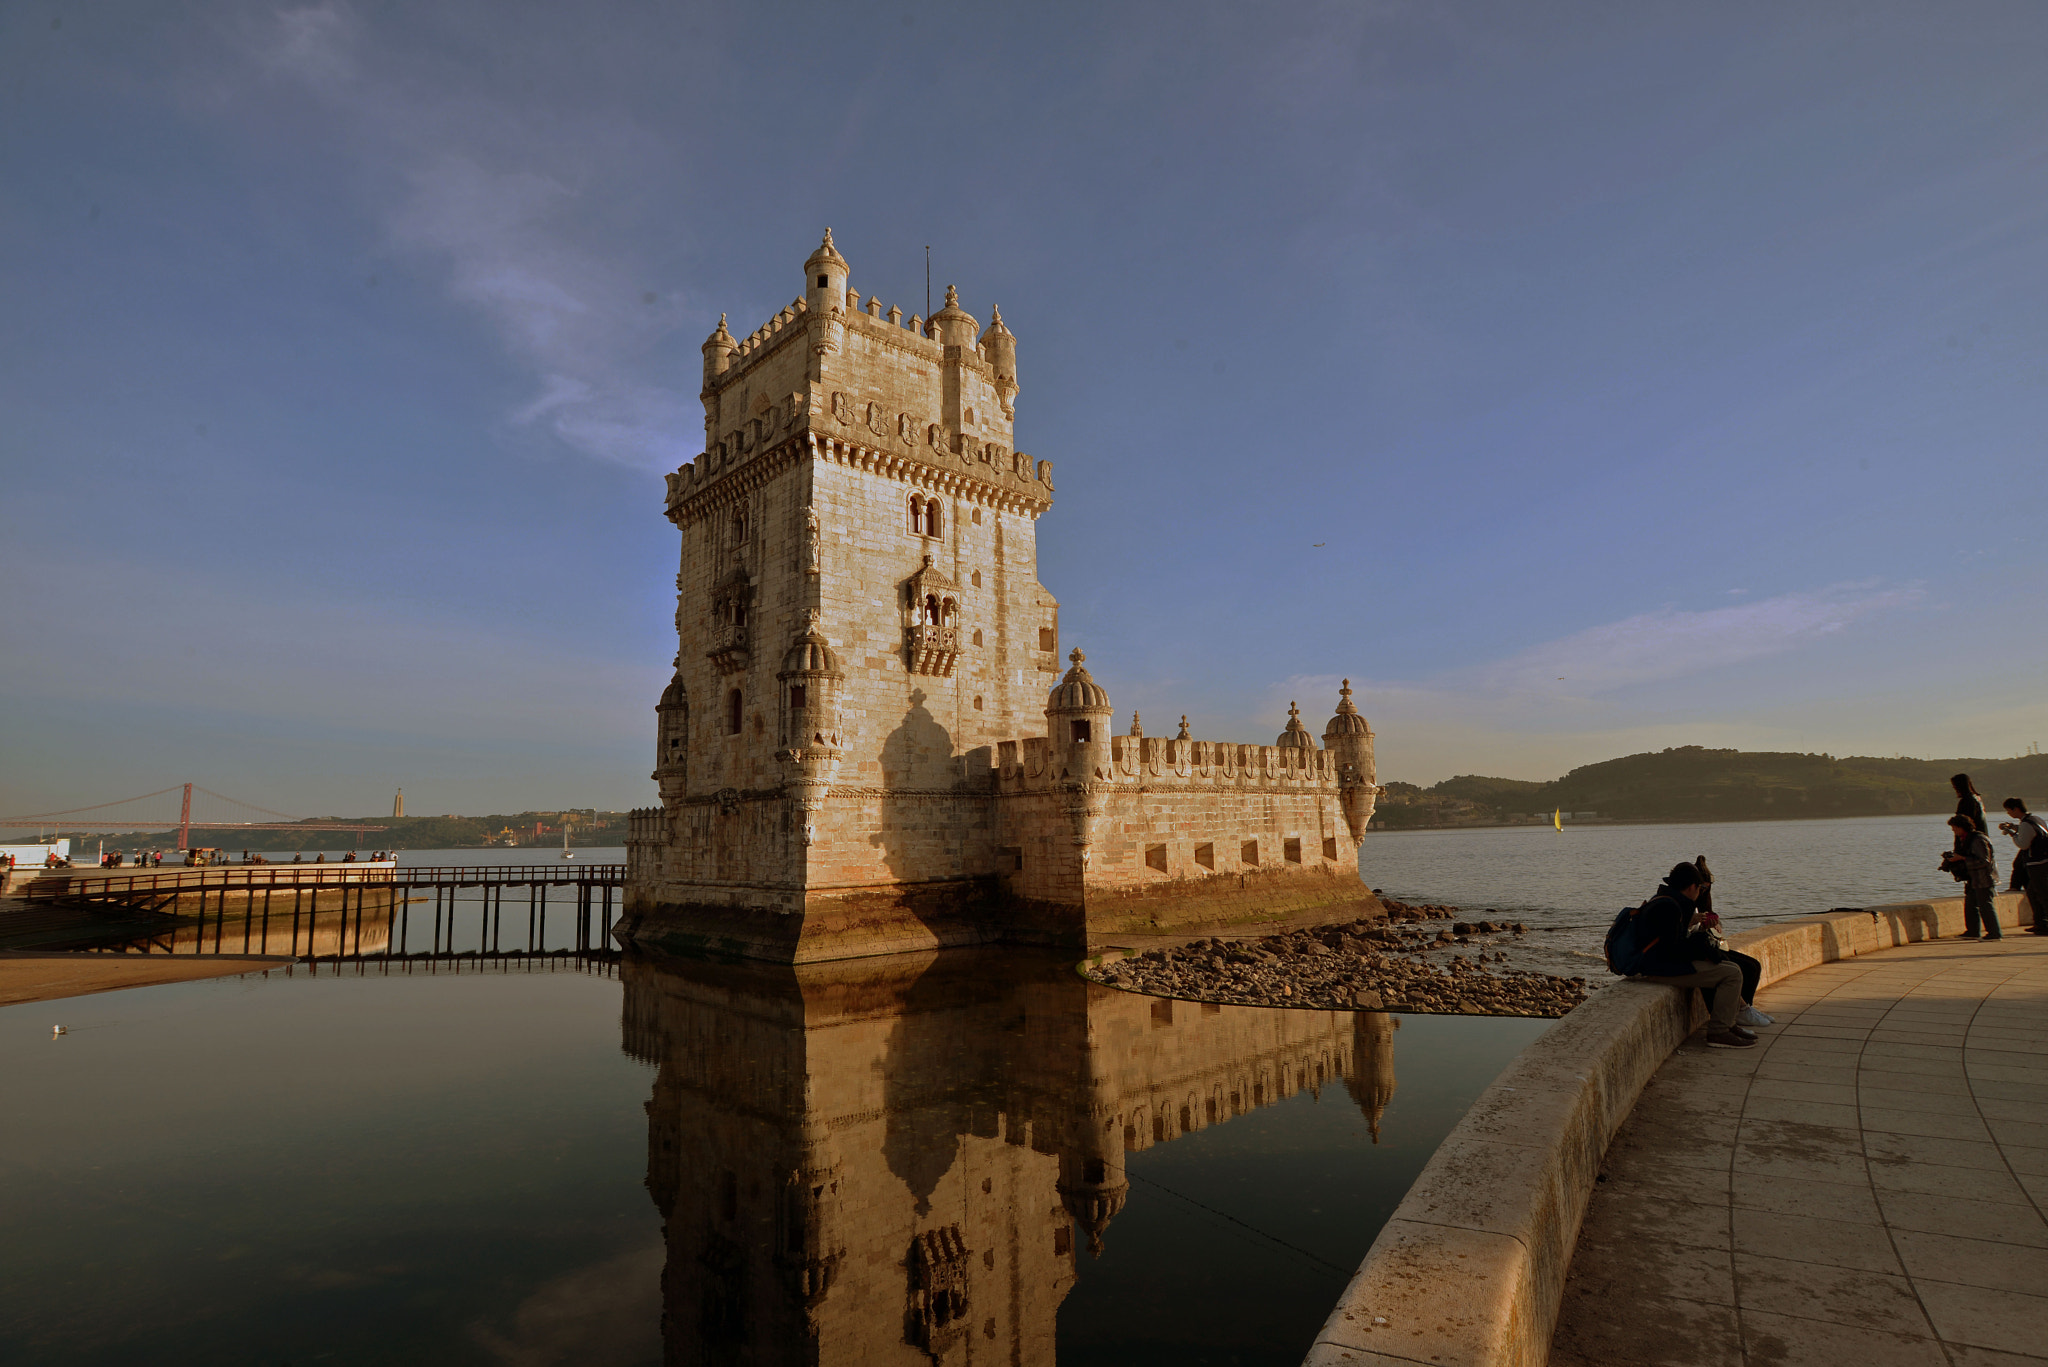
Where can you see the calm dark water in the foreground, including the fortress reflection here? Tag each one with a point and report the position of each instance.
(701, 1163)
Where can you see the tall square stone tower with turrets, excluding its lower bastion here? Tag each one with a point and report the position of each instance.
(857, 608)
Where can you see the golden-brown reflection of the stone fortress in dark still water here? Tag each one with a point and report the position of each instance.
(884, 1161)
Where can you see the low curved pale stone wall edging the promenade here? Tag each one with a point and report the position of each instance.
(1471, 1266)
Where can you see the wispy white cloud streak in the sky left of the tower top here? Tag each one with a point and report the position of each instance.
(499, 200)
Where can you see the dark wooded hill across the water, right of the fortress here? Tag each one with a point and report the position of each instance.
(1693, 784)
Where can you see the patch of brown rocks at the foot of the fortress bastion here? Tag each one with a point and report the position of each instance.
(1359, 966)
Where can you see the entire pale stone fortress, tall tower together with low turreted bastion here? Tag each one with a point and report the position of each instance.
(869, 745)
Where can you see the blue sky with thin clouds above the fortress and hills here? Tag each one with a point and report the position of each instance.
(1650, 374)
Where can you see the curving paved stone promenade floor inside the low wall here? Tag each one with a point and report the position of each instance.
(1867, 1186)
